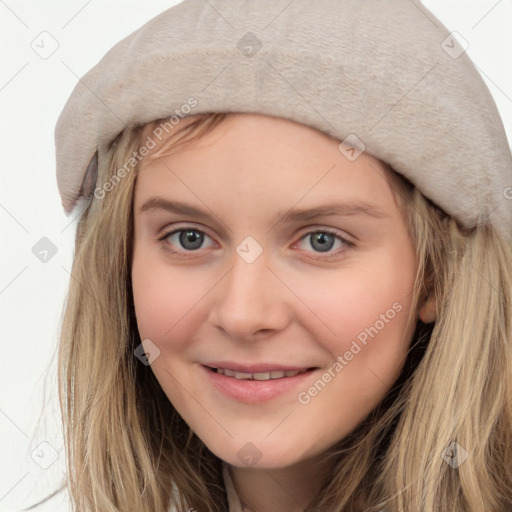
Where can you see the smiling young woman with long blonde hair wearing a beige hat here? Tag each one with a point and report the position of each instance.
(292, 285)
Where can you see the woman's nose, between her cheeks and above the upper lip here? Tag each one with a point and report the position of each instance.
(250, 300)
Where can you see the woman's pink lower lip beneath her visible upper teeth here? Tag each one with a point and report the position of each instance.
(255, 391)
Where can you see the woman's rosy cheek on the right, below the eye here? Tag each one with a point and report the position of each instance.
(362, 311)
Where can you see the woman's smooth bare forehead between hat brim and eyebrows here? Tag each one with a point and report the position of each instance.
(269, 160)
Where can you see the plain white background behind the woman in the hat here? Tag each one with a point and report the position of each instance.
(32, 93)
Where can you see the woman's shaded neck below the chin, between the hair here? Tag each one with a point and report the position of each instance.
(273, 490)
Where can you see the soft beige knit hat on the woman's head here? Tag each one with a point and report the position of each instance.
(383, 76)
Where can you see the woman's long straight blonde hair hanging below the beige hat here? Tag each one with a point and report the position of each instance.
(128, 449)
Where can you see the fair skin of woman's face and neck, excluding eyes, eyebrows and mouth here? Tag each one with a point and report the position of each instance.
(292, 304)
